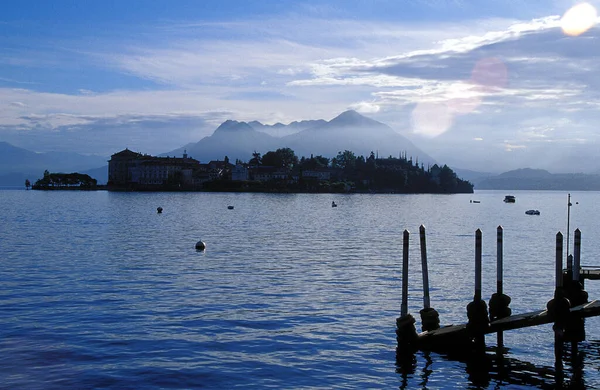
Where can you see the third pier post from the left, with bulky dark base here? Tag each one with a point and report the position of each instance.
(477, 310)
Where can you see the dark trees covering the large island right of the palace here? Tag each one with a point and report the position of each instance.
(351, 173)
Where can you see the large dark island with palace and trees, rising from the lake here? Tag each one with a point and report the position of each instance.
(282, 171)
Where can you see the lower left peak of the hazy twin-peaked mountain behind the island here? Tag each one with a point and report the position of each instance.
(232, 139)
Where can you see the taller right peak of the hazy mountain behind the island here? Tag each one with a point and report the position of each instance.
(354, 132)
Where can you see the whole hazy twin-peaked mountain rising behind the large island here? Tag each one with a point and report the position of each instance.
(348, 131)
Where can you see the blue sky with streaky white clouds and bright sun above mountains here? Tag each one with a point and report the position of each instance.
(485, 85)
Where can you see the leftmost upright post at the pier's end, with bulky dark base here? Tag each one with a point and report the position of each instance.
(405, 324)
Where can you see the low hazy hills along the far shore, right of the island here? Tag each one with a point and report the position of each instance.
(539, 179)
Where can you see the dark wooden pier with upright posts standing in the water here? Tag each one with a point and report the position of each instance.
(566, 310)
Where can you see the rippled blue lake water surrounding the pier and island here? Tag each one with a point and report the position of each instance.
(100, 291)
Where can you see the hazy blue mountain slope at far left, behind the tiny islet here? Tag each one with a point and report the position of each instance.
(18, 164)
